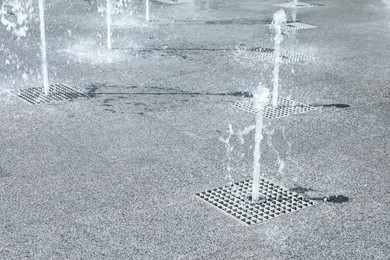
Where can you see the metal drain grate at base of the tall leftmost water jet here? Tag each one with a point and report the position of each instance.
(58, 92)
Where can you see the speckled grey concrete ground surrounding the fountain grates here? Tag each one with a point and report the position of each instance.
(114, 175)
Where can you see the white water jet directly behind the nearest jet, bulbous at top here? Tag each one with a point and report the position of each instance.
(277, 23)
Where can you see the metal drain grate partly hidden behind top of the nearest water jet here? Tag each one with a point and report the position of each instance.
(286, 107)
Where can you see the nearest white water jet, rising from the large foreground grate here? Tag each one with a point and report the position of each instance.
(260, 101)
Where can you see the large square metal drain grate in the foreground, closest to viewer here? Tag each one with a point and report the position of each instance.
(234, 200)
